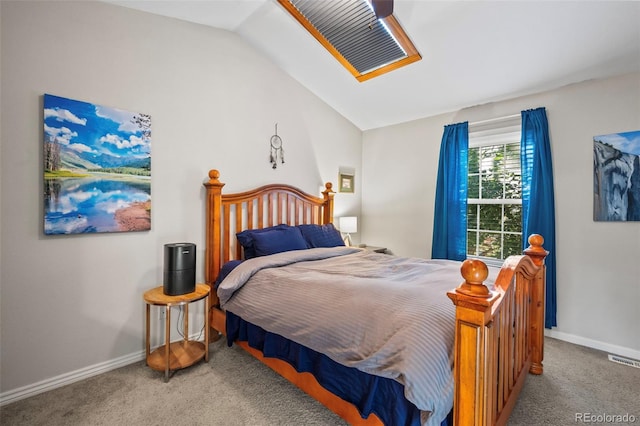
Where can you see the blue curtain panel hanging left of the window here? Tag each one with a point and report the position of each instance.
(450, 215)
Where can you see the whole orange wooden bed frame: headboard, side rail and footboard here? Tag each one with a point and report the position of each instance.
(499, 333)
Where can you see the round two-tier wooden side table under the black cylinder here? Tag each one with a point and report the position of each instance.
(180, 354)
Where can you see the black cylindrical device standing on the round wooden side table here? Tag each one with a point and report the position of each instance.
(179, 268)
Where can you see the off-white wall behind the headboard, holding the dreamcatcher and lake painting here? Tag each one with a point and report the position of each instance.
(72, 302)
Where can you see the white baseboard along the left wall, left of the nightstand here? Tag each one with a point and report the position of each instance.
(68, 378)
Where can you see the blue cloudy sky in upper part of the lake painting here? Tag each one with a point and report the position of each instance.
(90, 129)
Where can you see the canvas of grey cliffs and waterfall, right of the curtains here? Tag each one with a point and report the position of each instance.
(616, 177)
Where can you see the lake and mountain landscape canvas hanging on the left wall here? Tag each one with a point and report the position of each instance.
(97, 168)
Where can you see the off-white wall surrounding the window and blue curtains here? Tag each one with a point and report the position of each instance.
(598, 263)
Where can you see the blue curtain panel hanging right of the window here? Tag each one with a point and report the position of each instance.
(538, 207)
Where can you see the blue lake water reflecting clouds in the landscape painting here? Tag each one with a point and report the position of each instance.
(87, 205)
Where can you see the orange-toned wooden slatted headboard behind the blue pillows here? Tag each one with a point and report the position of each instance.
(258, 208)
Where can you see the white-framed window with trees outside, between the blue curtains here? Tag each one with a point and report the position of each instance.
(494, 198)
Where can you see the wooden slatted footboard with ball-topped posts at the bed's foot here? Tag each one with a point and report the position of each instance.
(499, 335)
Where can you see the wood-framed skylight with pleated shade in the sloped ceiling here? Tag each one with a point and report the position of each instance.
(351, 32)
